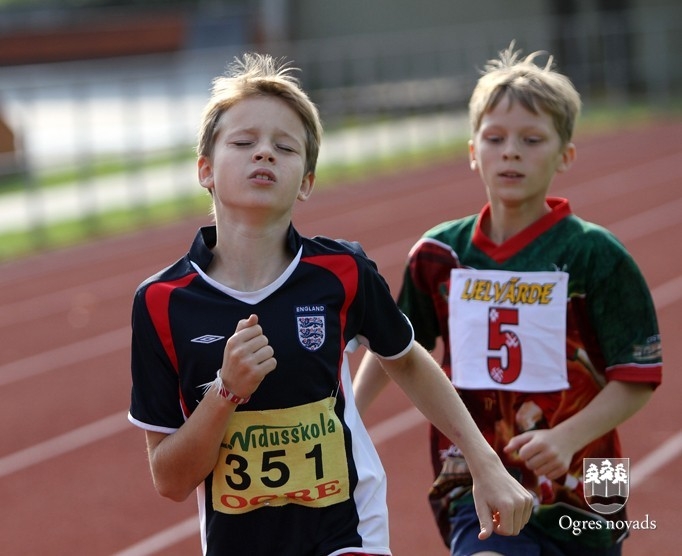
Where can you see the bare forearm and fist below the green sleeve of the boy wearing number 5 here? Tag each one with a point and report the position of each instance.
(549, 451)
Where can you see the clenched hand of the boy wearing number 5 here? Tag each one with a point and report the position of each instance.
(543, 452)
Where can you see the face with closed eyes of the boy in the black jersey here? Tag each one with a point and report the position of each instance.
(258, 161)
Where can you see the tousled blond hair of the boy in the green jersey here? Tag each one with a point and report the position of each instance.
(535, 87)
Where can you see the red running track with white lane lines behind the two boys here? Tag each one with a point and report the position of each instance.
(73, 472)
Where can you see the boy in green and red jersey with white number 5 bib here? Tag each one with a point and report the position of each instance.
(548, 328)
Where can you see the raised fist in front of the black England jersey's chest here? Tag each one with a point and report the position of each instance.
(247, 359)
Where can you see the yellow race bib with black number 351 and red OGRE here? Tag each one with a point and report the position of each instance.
(282, 456)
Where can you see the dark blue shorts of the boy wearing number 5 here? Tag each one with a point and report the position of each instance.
(529, 542)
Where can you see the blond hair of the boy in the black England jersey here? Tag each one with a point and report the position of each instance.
(260, 75)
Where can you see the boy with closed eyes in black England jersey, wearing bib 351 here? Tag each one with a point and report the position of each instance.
(240, 376)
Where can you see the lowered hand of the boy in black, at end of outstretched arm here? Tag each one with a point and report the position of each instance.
(502, 504)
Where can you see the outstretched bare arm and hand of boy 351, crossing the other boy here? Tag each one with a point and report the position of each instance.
(502, 504)
